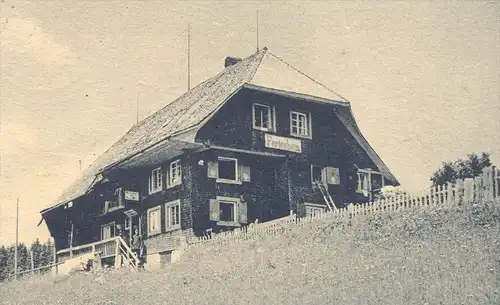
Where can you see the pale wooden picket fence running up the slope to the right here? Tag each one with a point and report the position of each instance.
(483, 188)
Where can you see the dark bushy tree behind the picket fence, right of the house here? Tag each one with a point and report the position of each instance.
(461, 169)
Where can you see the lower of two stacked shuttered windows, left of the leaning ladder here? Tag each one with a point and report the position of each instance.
(228, 211)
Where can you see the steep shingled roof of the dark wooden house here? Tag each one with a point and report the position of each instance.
(189, 110)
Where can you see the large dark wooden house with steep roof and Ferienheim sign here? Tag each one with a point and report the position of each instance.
(257, 141)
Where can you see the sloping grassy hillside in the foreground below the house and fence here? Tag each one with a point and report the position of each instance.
(428, 257)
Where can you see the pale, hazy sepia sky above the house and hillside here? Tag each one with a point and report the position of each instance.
(422, 78)
